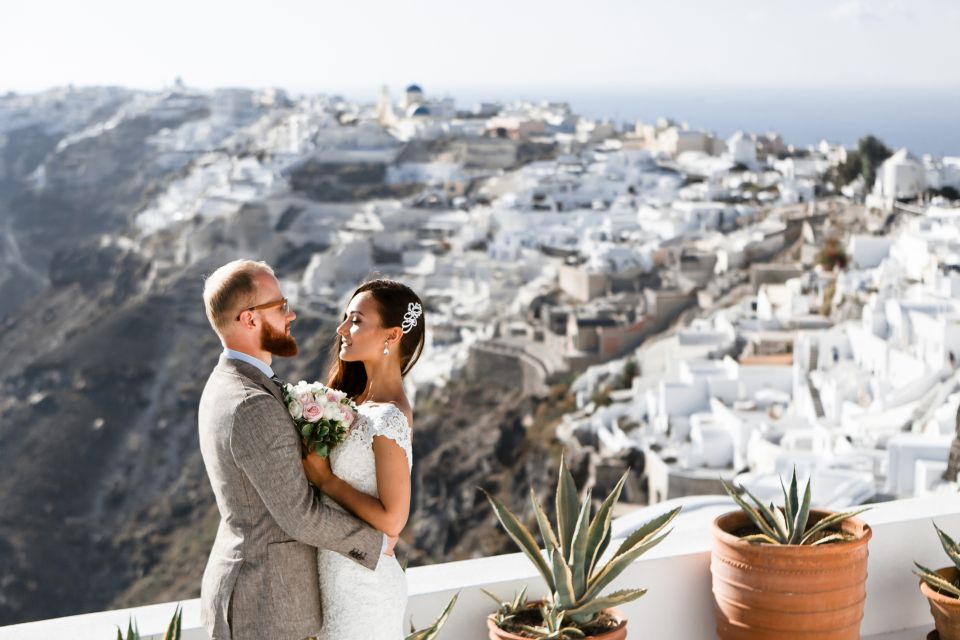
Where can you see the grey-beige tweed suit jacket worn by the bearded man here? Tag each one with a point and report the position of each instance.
(261, 578)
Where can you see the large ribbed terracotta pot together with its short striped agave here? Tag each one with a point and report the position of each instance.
(790, 571)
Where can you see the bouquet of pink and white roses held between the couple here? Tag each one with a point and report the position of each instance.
(322, 415)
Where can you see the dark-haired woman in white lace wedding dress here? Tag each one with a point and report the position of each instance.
(368, 474)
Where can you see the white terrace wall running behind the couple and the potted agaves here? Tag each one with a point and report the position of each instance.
(678, 606)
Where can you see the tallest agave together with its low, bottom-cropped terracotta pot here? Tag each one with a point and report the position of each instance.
(572, 568)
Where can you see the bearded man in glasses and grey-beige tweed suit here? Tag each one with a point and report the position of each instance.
(261, 578)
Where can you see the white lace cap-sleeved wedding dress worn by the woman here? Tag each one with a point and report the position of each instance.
(359, 604)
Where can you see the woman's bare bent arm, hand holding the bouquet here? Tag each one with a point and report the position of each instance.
(390, 511)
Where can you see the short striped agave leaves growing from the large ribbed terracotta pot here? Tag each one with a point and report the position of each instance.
(790, 524)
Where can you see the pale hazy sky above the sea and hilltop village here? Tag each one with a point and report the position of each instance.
(346, 45)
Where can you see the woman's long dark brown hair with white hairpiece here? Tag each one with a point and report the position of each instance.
(393, 301)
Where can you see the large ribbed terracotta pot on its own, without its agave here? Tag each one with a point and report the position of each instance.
(780, 592)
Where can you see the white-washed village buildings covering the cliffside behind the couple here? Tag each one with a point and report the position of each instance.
(717, 308)
